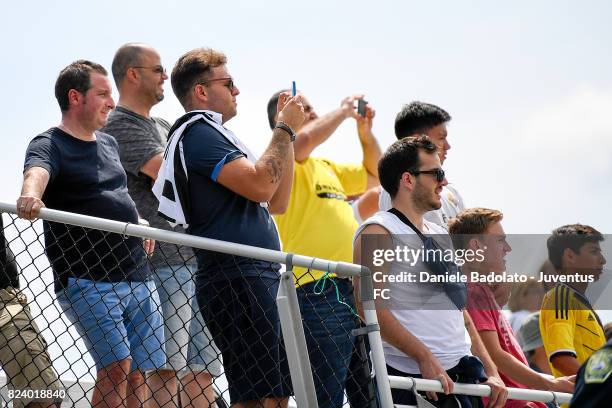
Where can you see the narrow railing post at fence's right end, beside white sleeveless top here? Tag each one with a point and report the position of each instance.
(371, 319)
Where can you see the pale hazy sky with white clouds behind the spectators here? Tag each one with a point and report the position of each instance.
(528, 83)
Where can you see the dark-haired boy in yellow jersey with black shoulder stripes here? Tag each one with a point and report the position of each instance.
(571, 329)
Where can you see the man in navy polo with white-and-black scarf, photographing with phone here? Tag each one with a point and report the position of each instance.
(229, 195)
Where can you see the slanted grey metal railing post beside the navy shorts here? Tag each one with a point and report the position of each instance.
(295, 340)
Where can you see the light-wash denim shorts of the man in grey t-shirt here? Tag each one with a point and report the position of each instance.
(188, 343)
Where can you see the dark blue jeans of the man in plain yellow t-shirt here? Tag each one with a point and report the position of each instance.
(327, 326)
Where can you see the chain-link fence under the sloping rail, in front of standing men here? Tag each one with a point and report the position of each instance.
(96, 322)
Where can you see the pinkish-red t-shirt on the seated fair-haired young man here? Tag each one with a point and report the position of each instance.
(487, 316)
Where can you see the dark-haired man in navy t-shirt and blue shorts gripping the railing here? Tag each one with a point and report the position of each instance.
(102, 280)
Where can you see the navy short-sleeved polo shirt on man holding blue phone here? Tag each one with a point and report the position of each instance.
(219, 213)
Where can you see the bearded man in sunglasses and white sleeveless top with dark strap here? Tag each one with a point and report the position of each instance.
(425, 334)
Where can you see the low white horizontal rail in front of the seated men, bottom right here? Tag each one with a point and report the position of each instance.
(479, 390)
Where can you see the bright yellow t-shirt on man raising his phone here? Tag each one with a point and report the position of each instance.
(319, 222)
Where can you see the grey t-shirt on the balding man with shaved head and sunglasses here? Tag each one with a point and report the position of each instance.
(140, 139)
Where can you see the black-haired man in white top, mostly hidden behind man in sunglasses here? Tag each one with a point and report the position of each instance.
(420, 118)
